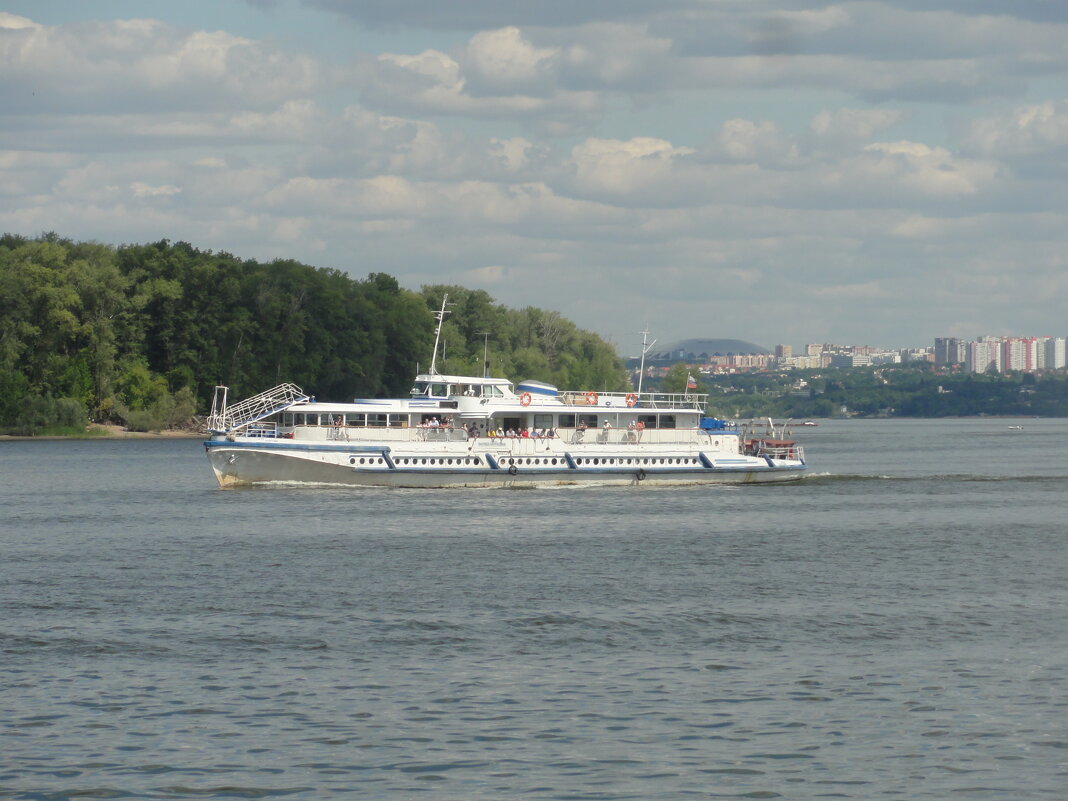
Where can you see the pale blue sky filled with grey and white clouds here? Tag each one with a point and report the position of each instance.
(776, 171)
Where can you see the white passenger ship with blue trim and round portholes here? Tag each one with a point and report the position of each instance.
(483, 432)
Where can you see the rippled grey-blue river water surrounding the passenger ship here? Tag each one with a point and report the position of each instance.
(894, 626)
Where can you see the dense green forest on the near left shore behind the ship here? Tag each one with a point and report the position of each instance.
(140, 335)
